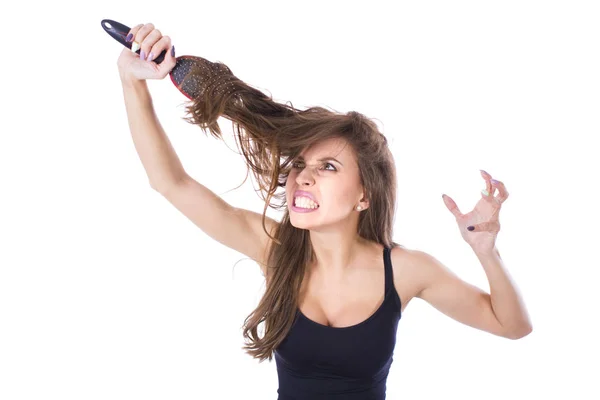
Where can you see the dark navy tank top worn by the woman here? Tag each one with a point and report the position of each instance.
(317, 362)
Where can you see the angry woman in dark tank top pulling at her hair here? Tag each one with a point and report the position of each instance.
(336, 283)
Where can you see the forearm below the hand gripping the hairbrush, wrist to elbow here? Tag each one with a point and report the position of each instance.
(154, 149)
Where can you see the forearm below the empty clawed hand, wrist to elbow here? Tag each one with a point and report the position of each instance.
(507, 302)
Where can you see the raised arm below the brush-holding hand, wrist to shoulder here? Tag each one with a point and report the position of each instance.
(236, 228)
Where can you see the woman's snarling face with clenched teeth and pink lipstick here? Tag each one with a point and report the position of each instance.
(328, 171)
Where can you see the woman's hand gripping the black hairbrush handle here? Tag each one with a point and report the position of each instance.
(152, 43)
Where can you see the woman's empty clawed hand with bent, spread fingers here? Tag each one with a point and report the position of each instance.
(484, 217)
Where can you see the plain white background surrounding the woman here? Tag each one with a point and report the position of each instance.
(108, 292)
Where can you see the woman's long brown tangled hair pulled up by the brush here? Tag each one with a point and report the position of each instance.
(271, 135)
